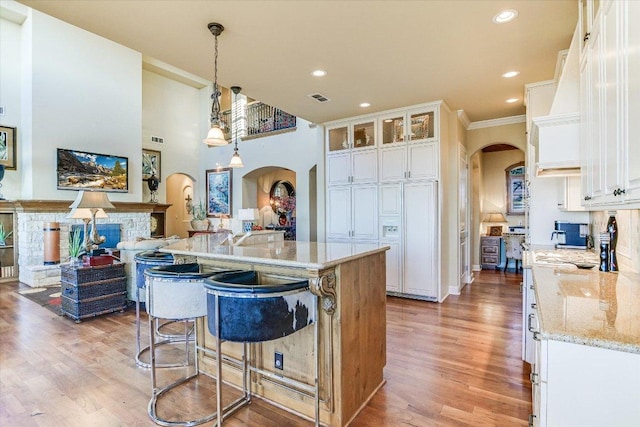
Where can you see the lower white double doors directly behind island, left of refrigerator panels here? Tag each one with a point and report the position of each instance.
(352, 212)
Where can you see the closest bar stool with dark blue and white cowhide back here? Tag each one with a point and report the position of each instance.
(241, 309)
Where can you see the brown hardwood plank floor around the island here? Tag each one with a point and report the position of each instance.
(451, 364)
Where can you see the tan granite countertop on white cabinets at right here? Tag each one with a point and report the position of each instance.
(588, 306)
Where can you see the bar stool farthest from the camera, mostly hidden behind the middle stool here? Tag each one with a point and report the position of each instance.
(145, 260)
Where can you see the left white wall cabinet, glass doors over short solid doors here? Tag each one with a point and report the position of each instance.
(352, 156)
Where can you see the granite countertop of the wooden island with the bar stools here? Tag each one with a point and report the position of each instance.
(297, 254)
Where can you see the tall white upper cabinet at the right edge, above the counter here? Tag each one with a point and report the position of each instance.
(610, 82)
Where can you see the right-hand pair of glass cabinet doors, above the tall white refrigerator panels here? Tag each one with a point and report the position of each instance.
(413, 126)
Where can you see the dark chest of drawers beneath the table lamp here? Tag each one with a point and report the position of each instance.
(92, 291)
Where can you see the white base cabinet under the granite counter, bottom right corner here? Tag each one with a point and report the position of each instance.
(580, 385)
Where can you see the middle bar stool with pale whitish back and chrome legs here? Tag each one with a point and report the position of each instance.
(174, 292)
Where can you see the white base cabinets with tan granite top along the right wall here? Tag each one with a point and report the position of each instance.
(585, 326)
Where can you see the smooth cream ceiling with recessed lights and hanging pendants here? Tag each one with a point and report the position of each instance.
(388, 53)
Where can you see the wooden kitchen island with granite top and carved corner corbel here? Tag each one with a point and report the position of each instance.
(350, 282)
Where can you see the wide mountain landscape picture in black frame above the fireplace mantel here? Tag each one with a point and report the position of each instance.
(82, 170)
